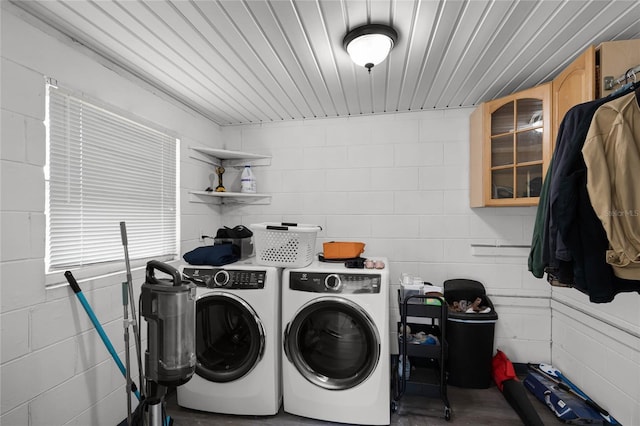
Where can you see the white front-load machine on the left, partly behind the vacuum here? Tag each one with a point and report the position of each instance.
(238, 340)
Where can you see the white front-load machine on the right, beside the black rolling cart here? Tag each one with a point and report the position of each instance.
(335, 364)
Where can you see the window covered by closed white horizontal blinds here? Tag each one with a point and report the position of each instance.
(102, 169)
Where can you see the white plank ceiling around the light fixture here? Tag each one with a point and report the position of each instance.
(252, 61)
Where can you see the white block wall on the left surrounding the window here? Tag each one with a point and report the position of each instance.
(54, 367)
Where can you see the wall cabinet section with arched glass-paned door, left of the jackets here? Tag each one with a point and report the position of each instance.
(510, 148)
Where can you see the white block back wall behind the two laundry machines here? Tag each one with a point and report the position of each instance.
(399, 183)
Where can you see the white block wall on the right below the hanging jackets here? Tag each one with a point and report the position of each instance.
(598, 347)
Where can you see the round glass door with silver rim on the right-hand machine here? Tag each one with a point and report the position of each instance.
(333, 343)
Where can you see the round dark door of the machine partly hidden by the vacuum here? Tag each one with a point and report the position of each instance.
(229, 337)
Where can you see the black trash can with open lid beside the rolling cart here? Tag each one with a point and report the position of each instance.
(469, 335)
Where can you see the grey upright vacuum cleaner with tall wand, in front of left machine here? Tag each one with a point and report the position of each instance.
(168, 306)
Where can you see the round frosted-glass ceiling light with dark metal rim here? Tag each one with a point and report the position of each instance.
(370, 44)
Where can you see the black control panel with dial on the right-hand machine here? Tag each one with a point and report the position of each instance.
(323, 282)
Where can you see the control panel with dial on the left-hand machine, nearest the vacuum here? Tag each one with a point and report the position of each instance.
(226, 278)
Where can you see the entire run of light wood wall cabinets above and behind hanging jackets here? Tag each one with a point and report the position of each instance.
(508, 155)
